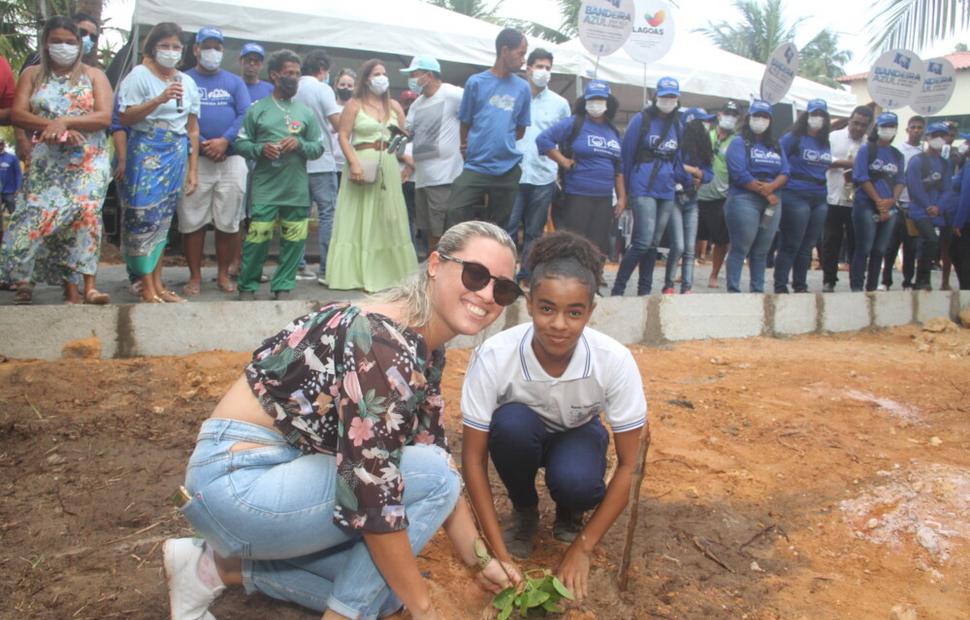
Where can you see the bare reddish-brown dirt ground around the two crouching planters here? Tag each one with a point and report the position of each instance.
(818, 477)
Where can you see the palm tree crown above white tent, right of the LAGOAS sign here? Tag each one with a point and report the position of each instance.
(760, 31)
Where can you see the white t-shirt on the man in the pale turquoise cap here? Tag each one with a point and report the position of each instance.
(436, 130)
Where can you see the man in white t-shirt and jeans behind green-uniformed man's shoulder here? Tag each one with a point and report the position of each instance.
(316, 94)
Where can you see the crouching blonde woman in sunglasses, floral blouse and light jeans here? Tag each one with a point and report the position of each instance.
(325, 468)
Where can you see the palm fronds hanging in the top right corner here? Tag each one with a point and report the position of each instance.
(914, 24)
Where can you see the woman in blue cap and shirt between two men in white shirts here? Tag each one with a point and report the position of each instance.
(878, 177)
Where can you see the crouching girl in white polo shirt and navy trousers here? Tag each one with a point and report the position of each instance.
(533, 397)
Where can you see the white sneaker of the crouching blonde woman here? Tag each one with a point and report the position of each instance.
(188, 597)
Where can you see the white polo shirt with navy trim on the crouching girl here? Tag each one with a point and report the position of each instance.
(601, 376)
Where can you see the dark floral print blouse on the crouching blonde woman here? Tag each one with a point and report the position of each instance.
(360, 387)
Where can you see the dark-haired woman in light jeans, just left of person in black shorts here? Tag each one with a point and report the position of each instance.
(697, 157)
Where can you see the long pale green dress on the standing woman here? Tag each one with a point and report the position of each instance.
(370, 247)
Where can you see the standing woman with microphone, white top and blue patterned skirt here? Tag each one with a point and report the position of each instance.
(162, 106)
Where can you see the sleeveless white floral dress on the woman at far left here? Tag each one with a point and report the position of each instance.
(55, 233)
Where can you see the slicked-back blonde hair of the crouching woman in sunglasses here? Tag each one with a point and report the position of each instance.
(412, 292)
